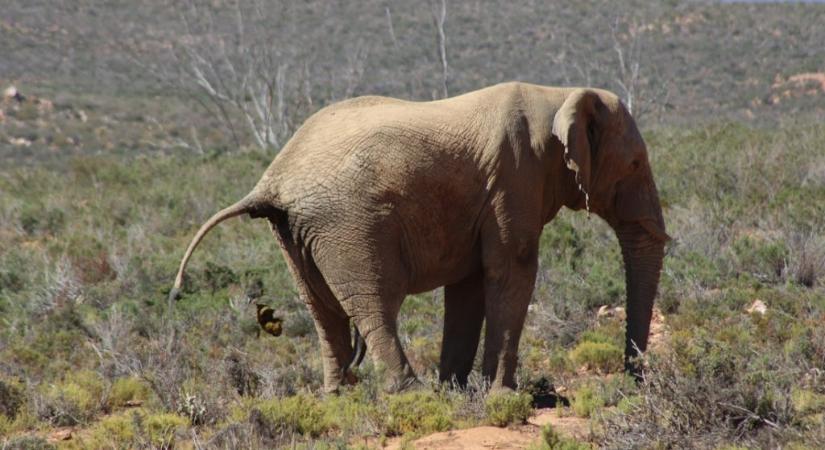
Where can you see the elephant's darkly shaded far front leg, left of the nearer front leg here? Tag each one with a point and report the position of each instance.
(463, 317)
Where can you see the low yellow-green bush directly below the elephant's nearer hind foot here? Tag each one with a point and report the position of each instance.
(418, 413)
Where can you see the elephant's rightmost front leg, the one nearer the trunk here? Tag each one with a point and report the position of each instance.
(508, 287)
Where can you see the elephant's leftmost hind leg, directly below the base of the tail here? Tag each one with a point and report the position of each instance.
(331, 322)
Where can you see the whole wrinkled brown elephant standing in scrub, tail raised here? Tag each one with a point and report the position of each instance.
(375, 198)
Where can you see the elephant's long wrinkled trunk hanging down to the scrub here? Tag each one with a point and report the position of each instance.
(643, 253)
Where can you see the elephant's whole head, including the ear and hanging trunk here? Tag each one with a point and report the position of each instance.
(612, 178)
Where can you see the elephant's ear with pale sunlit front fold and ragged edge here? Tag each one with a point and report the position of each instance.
(576, 126)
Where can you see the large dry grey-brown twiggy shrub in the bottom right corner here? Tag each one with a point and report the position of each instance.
(717, 395)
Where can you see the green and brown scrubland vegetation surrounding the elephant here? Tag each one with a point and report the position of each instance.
(92, 229)
